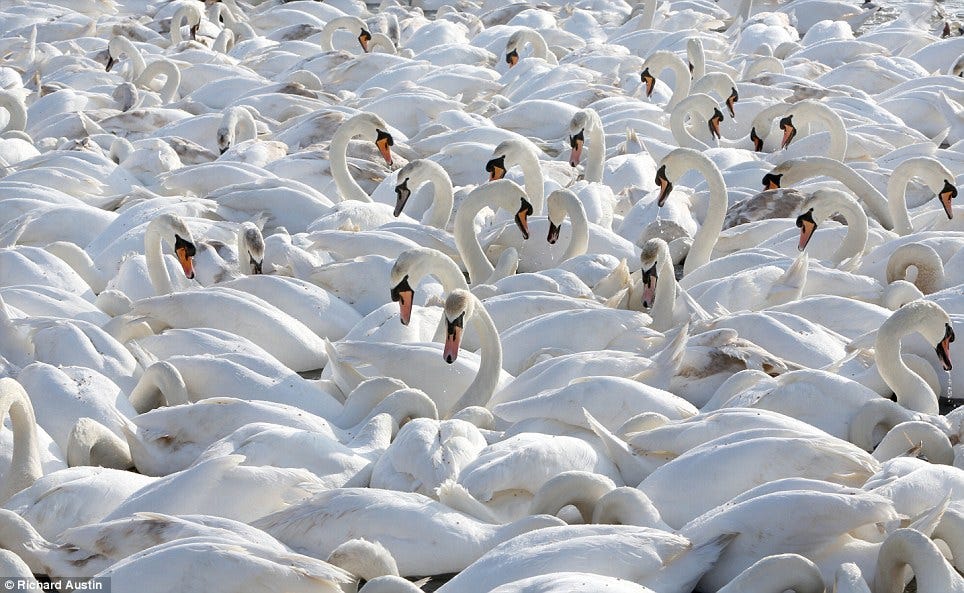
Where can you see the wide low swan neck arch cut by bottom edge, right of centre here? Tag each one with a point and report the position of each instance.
(778, 573)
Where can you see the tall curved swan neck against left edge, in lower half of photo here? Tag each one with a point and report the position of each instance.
(25, 466)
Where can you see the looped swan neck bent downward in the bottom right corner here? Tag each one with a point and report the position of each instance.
(909, 547)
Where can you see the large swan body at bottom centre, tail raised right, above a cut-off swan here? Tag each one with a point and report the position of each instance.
(663, 561)
